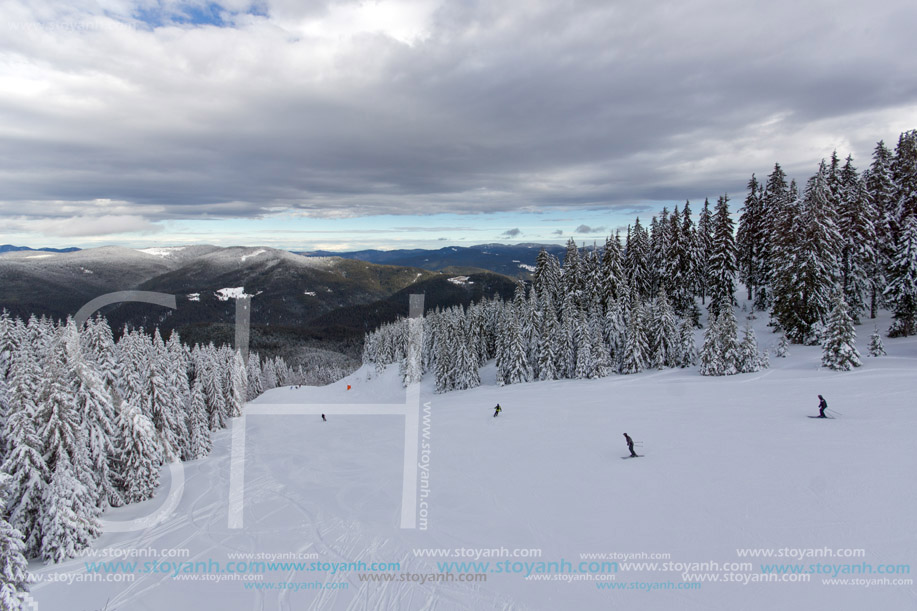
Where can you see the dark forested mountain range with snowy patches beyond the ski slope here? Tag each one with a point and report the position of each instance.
(323, 301)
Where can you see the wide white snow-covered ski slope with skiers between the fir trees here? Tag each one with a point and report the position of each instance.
(729, 463)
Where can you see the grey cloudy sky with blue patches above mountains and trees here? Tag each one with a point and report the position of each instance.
(345, 124)
